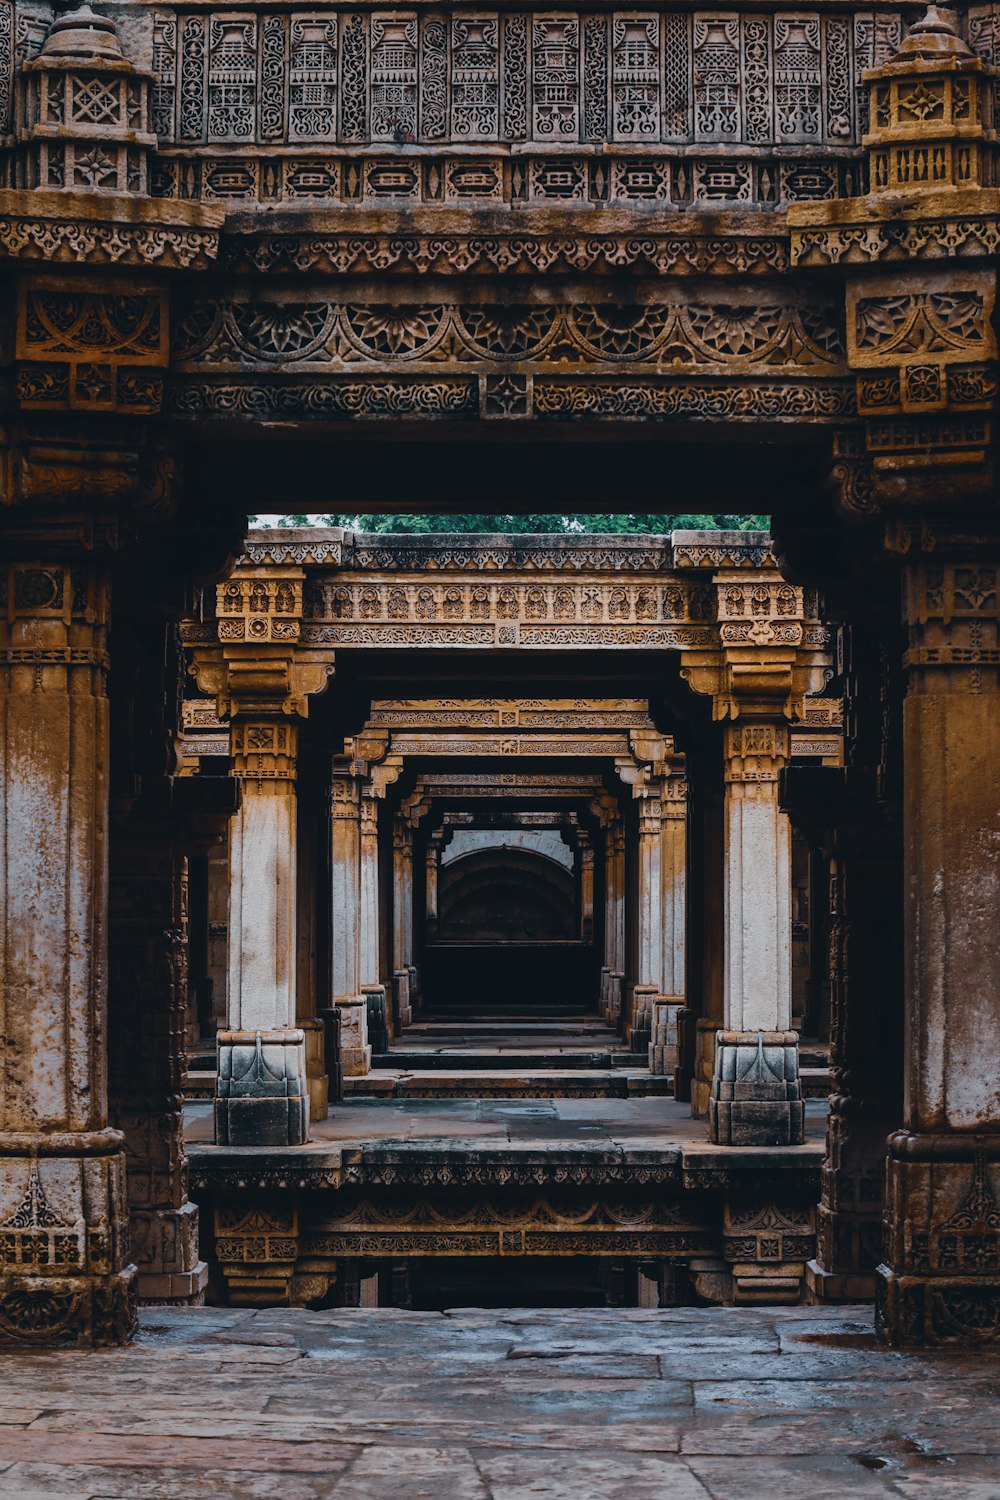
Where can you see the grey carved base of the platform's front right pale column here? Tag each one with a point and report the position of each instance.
(756, 1097)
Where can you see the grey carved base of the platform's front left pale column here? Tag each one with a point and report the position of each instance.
(262, 1096)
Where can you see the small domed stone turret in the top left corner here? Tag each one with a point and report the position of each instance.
(83, 112)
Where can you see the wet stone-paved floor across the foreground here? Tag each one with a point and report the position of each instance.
(690, 1405)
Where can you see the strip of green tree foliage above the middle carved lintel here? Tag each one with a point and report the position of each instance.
(521, 526)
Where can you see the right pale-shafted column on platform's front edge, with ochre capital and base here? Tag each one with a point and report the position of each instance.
(771, 656)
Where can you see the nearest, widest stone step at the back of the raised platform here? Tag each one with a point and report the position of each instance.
(524, 1085)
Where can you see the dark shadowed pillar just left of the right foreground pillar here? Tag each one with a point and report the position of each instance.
(854, 817)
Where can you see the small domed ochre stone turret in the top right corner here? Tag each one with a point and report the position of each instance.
(932, 112)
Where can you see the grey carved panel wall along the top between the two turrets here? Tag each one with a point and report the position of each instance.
(491, 107)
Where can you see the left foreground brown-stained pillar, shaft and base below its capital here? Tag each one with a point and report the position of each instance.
(64, 1222)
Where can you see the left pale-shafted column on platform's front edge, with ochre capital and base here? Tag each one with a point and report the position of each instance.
(263, 680)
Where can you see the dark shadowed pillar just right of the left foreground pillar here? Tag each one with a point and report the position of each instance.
(148, 970)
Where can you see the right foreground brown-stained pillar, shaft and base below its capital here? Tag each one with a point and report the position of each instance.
(942, 1274)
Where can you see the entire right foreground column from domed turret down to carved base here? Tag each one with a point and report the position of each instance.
(921, 338)
